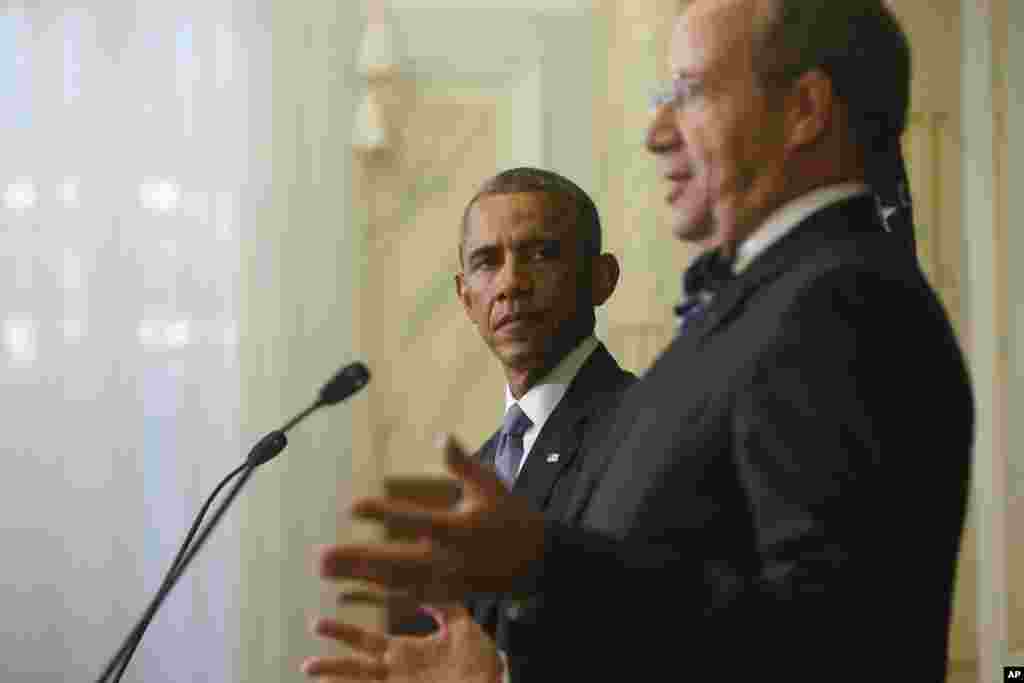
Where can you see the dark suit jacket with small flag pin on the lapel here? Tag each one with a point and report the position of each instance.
(574, 430)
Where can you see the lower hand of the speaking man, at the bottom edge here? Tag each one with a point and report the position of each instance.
(459, 653)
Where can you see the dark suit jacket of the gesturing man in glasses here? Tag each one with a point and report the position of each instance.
(788, 483)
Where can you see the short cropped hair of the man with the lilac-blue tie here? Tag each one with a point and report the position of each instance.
(528, 180)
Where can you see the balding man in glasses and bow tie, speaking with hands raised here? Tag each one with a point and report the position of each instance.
(788, 484)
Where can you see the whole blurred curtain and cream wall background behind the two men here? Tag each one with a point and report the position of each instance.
(206, 208)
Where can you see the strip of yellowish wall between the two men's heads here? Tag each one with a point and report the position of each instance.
(641, 320)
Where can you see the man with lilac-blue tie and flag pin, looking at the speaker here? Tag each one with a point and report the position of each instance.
(532, 274)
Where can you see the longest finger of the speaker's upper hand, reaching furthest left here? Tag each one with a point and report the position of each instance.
(400, 566)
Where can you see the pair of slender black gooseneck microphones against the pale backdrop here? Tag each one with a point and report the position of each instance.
(347, 382)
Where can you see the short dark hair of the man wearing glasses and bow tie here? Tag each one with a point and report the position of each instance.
(860, 45)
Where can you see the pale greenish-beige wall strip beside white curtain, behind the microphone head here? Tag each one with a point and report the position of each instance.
(296, 331)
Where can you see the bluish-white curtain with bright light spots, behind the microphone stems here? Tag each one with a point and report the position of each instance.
(126, 179)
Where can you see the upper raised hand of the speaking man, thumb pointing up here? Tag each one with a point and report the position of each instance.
(483, 545)
